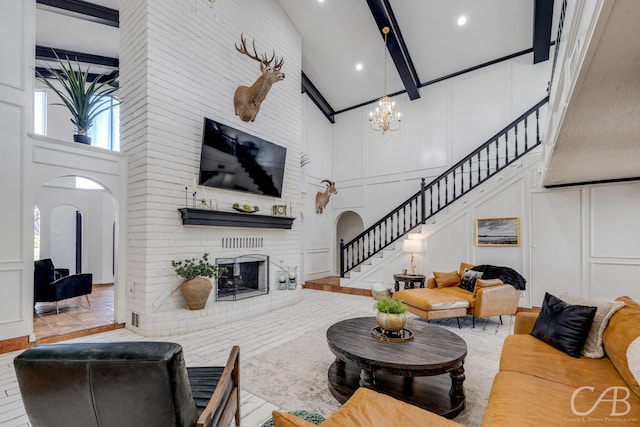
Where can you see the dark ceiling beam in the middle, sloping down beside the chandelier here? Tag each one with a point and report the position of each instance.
(384, 17)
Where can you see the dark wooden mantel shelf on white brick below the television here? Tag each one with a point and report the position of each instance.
(193, 216)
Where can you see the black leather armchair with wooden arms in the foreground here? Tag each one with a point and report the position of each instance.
(125, 384)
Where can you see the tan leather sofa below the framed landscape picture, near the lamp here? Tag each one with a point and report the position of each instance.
(444, 298)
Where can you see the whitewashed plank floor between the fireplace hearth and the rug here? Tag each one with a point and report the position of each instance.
(211, 347)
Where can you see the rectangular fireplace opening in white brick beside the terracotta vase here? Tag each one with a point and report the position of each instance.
(247, 276)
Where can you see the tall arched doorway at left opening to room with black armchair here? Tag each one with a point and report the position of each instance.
(76, 230)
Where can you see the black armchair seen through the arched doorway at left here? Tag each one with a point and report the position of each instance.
(53, 285)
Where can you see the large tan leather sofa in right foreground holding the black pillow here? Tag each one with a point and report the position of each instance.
(538, 385)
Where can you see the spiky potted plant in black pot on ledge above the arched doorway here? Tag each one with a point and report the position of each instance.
(85, 100)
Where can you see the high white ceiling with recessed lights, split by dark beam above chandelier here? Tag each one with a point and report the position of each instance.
(337, 34)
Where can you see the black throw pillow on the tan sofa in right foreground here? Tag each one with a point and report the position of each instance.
(562, 325)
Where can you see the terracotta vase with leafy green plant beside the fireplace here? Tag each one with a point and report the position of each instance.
(197, 287)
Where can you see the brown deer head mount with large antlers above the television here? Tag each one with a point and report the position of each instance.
(247, 100)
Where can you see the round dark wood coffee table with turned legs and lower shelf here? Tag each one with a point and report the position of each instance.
(427, 371)
